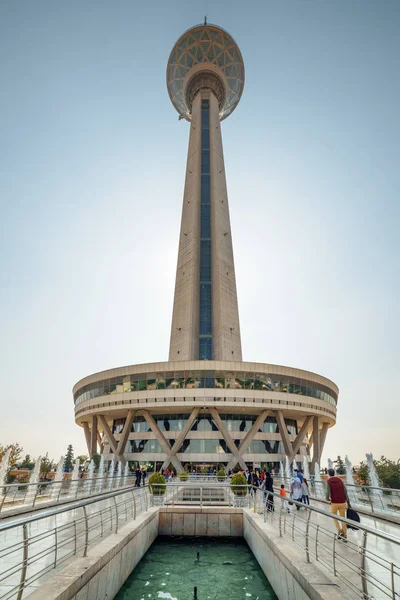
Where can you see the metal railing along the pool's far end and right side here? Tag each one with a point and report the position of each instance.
(367, 563)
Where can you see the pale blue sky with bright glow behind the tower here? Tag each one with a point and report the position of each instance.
(92, 165)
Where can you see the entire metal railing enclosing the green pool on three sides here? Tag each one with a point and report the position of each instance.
(33, 546)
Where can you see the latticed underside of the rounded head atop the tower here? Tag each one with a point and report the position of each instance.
(206, 45)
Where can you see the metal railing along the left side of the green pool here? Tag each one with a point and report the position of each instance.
(31, 547)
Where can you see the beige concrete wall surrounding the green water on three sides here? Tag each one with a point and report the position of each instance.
(102, 573)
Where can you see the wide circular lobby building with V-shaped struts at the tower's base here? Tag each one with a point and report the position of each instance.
(205, 414)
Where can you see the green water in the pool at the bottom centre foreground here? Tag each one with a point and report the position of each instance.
(226, 570)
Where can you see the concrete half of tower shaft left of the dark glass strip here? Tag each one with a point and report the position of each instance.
(184, 342)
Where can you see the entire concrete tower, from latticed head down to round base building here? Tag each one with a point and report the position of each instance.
(205, 408)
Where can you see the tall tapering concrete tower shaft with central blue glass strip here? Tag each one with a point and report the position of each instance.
(205, 320)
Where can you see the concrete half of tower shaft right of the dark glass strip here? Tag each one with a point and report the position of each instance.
(225, 312)
